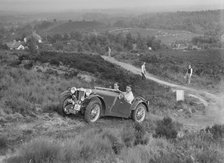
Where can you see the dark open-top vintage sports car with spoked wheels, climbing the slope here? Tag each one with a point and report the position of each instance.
(99, 102)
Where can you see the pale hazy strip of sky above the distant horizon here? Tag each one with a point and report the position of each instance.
(62, 5)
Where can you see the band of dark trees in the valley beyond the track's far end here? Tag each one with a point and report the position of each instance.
(99, 43)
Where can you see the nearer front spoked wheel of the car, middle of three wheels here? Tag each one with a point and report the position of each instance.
(93, 110)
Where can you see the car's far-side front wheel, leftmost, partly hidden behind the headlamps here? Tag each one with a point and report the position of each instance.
(64, 105)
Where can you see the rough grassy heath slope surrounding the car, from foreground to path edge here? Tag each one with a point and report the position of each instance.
(28, 100)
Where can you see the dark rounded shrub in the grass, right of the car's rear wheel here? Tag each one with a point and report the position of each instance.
(166, 127)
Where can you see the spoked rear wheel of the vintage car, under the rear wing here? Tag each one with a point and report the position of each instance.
(139, 114)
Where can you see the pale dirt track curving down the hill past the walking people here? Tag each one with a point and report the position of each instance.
(214, 112)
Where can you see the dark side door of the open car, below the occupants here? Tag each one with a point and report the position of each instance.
(121, 108)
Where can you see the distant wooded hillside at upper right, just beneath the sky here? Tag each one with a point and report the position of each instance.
(196, 21)
